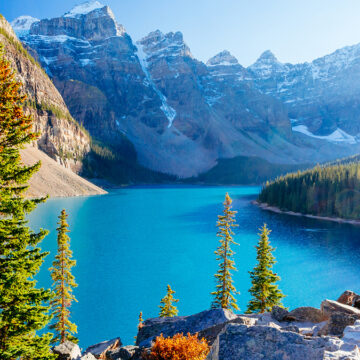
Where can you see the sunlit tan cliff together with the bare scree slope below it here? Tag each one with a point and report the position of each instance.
(63, 142)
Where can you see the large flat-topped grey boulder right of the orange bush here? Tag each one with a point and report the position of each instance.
(263, 342)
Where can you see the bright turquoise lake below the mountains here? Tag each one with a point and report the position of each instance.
(131, 243)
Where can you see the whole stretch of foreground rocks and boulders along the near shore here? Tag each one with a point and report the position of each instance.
(305, 333)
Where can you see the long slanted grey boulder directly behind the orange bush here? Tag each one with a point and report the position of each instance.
(181, 324)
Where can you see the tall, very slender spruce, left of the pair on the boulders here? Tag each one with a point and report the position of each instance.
(224, 295)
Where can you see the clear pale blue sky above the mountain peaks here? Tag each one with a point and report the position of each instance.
(294, 30)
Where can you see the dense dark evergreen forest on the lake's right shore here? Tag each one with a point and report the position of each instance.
(328, 190)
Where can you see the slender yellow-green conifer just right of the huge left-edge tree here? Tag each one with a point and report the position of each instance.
(64, 283)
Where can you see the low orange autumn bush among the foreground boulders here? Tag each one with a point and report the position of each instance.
(179, 347)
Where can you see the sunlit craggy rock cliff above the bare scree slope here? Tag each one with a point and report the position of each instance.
(61, 136)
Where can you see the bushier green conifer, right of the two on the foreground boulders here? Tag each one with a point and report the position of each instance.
(264, 290)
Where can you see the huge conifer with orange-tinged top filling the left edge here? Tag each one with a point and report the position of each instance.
(23, 307)
